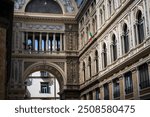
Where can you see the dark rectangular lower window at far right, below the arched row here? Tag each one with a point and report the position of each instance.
(144, 76)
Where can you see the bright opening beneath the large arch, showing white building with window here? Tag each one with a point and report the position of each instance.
(42, 85)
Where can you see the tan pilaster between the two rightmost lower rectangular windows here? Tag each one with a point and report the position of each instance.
(135, 84)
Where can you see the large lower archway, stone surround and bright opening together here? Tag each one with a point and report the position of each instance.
(43, 81)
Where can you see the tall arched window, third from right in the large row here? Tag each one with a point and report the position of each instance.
(114, 48)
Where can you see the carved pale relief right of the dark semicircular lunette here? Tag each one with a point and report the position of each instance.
(68, 5)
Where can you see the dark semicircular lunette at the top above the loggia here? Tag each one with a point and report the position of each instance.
(44, 6)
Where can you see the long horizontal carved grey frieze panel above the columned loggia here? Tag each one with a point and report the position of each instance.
(39, 27)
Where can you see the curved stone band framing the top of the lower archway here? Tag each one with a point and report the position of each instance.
(49, 67)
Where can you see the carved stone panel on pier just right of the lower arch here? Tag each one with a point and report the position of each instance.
(72, 71)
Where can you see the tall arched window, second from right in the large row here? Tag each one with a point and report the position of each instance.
(125, 39)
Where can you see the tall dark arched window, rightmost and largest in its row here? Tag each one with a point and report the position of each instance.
(140, 27)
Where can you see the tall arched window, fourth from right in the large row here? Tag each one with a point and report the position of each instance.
(104, 56)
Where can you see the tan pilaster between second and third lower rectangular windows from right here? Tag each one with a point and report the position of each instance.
(122, 90)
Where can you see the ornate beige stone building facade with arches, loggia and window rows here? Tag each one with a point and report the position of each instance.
(98, 51)
